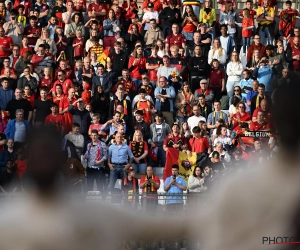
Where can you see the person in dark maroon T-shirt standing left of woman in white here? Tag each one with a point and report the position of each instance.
(216, 79)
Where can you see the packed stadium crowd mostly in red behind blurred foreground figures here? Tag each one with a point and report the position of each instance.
(121, 89)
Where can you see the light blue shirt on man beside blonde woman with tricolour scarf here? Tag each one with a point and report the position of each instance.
(119, 153)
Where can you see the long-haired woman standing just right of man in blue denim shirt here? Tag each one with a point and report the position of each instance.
(184, 102)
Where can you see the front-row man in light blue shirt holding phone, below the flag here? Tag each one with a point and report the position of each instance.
(174, 184)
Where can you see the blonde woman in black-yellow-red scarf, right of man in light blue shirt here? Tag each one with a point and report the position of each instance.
(139, 149)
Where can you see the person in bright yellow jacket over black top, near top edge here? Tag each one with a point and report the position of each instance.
(208, 18)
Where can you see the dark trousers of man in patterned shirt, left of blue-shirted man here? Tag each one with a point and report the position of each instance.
(98, 175)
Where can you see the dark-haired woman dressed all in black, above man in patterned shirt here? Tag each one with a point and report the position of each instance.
(100, 104)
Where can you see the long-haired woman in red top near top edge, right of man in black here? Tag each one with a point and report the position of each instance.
(189, 24)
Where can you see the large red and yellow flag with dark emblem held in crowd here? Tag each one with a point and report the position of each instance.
(186, 164)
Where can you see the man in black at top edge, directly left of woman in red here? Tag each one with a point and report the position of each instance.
(171, 15)
